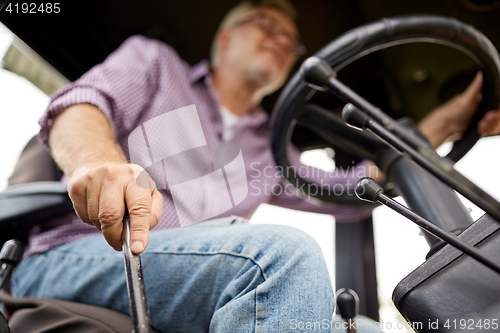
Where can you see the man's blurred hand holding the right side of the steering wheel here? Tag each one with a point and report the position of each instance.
(449, 121)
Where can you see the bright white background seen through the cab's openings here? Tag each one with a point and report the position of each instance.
(399, 248)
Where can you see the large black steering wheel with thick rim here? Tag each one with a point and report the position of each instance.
(293, 106)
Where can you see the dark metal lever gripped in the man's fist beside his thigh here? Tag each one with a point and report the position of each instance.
(136, 289)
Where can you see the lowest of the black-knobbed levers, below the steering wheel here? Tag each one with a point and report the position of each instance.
(368, 190)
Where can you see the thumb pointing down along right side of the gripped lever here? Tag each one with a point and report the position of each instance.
(139, 208)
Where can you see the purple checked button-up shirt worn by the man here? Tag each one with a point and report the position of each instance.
(145, 78)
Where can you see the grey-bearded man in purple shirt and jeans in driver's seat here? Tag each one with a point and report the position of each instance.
(223, 275)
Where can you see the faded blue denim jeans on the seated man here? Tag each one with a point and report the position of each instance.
(220, 276)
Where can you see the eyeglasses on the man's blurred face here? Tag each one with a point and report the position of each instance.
(272, 28)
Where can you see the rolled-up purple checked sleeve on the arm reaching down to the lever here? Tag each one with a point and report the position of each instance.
(120, 87)
